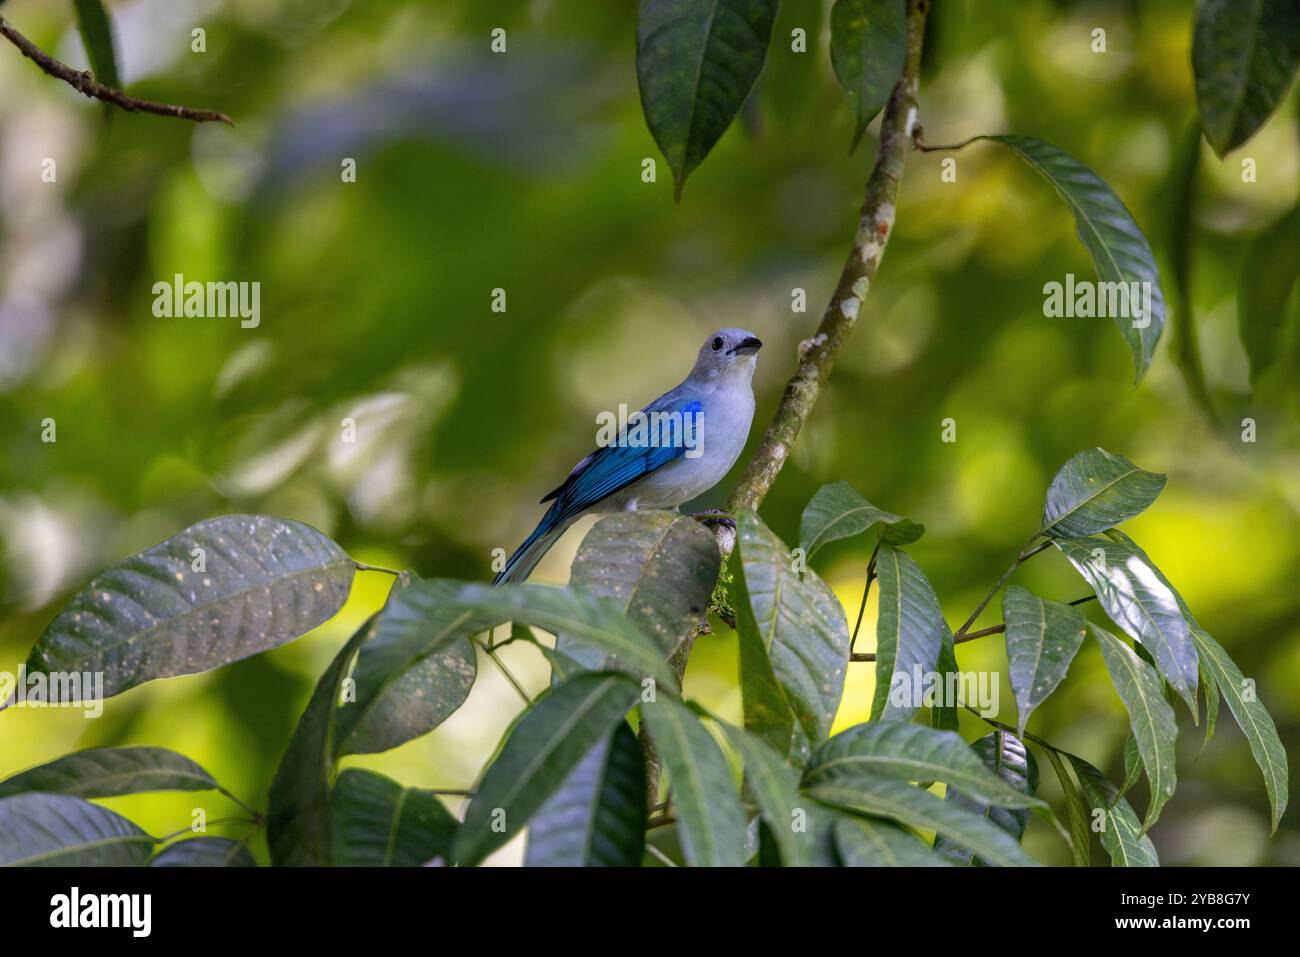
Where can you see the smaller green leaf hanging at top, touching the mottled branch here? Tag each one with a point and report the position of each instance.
(869, 47)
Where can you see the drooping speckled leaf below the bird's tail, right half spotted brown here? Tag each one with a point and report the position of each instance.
(414, 670)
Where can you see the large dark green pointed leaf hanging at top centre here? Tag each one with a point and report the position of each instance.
(697, 60)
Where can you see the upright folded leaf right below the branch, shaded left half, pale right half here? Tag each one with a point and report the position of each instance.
(795, 622)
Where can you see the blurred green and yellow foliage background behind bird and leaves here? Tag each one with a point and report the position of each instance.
(522, 172)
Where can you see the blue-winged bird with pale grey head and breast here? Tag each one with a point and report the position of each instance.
(704, 425)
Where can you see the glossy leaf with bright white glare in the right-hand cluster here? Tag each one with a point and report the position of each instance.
(1145, 607)
